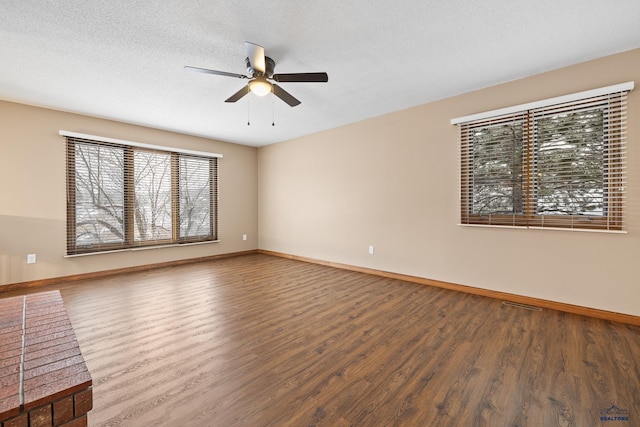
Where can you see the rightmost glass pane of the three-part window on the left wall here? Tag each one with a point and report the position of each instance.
(195, 197)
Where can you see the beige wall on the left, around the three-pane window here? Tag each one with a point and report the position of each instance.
(33, 188)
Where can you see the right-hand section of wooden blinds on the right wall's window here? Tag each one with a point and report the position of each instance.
(578, 162)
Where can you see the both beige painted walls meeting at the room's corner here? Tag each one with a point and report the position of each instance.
(390, 181)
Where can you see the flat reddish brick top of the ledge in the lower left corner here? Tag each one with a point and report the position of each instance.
(40, 360)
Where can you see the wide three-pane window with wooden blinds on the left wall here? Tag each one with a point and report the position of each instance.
(127, 195)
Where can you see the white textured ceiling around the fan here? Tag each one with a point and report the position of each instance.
(123, 60)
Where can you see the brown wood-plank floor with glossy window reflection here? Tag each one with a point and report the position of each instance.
(265, 341)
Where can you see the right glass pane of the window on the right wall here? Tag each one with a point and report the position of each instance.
(569, 152)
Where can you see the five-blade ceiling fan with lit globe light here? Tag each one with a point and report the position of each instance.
(259, 71)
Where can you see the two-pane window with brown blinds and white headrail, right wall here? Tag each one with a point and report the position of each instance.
(557, 163)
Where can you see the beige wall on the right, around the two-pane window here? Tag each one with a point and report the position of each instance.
(392, 182)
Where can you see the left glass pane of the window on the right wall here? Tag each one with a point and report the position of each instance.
(497, 168)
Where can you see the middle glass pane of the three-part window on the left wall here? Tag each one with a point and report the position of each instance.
(152, 196)
